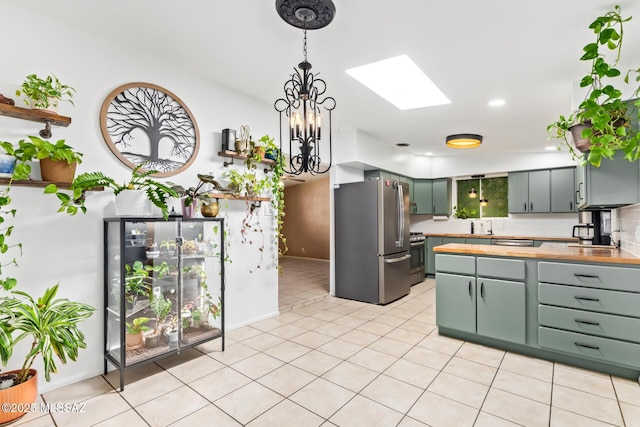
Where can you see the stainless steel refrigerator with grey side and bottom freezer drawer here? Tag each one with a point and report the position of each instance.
(372, 240)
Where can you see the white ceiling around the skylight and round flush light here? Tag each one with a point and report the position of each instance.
(523, 52)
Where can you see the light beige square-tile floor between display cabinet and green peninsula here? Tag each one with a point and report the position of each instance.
(344, 363)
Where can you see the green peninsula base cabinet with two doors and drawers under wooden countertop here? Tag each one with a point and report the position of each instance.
(578, 313)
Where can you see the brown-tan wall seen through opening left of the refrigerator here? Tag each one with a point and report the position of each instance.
(306, 221)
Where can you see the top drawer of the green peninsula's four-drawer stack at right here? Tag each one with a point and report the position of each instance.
(595, 276)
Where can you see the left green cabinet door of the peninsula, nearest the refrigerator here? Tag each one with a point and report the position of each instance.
(456, 301)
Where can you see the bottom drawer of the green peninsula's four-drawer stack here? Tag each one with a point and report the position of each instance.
(604, 349)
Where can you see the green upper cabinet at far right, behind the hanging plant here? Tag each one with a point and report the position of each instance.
(615, 183)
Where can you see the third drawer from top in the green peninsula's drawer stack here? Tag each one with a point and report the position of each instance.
(587, 322)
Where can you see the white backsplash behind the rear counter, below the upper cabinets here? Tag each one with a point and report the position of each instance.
(551, 225)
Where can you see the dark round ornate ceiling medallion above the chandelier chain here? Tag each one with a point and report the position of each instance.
(306, 14)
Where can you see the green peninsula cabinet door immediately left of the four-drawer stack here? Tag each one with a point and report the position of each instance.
(501, 309)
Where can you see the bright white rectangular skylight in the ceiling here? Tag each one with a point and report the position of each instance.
(401, 82)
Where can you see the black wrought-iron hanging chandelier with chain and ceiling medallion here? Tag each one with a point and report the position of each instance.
(304, 99)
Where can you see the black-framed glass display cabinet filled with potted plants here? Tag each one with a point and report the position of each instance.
(163, 287)
